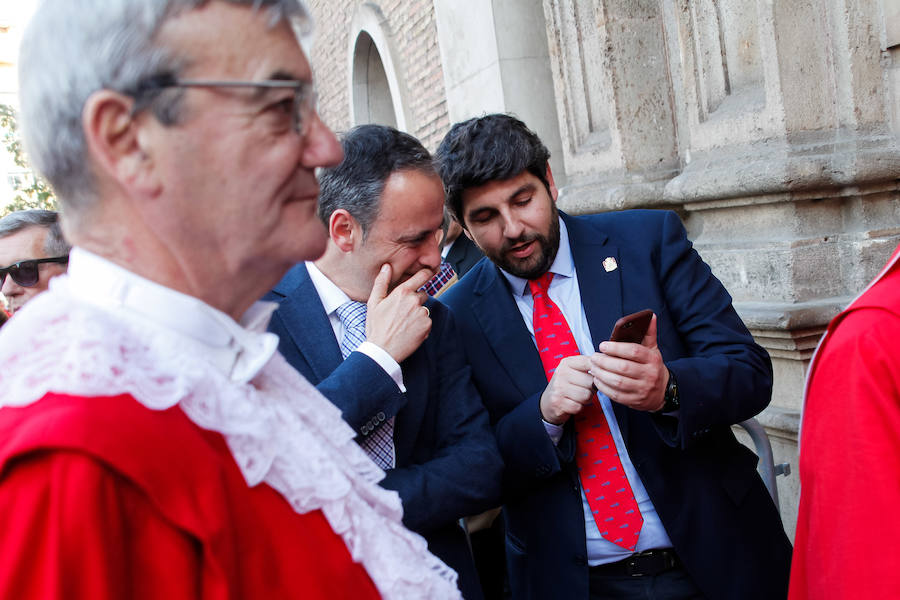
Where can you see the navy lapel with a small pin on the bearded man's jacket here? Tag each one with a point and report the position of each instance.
(601, 290)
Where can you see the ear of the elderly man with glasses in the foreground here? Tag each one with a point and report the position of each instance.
(116, 141)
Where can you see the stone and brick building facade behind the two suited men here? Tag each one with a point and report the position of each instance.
(770, 126)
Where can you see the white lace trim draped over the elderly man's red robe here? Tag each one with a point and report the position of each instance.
(279, 428)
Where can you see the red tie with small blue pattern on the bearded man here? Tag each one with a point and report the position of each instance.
(602, 477)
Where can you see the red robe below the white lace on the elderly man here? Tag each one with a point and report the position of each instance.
(104, 498)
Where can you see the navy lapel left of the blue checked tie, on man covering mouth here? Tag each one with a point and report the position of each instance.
(308, 326)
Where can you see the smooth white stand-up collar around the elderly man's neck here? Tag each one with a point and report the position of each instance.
(238, 350)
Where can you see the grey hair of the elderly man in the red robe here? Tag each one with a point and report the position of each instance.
(72, 49)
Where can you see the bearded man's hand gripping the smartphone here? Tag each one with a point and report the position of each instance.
(632, 374)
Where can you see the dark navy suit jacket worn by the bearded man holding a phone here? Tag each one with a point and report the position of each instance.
(703, 483)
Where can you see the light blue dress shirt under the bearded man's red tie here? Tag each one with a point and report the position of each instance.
(564, 292)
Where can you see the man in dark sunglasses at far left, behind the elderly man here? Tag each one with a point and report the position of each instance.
(32, 250)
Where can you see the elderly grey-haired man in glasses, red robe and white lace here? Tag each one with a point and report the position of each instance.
(153, 443)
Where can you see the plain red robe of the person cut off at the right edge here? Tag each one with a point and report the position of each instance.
(848, 529)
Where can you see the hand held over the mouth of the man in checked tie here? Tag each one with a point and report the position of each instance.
(397, 322)
